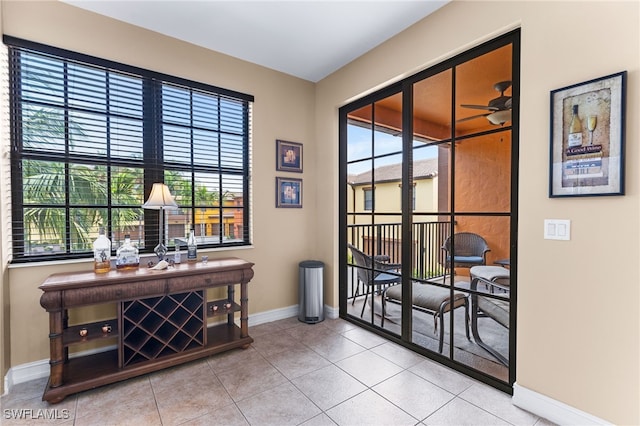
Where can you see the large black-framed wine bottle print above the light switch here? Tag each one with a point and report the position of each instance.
(588, 138)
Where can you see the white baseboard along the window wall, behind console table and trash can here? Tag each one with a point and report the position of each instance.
(39, 369)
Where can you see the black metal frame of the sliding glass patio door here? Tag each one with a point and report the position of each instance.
(405, 87)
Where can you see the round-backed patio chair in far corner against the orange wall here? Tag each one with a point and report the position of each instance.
(470, 250)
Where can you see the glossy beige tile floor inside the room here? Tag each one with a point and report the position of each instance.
(331, 373)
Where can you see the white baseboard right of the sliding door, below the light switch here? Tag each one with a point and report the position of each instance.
(552, 410)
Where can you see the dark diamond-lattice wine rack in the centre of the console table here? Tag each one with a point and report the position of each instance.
(162, 326)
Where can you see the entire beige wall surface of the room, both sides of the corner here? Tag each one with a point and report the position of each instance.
(579, 301)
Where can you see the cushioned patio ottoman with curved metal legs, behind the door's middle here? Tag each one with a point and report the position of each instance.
(431, 299)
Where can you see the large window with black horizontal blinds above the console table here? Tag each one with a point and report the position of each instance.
(89, 139)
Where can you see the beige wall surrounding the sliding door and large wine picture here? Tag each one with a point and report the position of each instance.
(578, 301)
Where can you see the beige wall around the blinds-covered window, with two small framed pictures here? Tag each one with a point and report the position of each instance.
(283, 109)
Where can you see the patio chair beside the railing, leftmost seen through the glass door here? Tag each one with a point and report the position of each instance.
(372, 272)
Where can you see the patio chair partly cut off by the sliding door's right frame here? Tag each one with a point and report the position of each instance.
(494, 305)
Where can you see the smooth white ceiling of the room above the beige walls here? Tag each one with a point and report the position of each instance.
(307, 39)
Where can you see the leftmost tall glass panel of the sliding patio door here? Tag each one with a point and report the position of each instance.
(374, 170)
